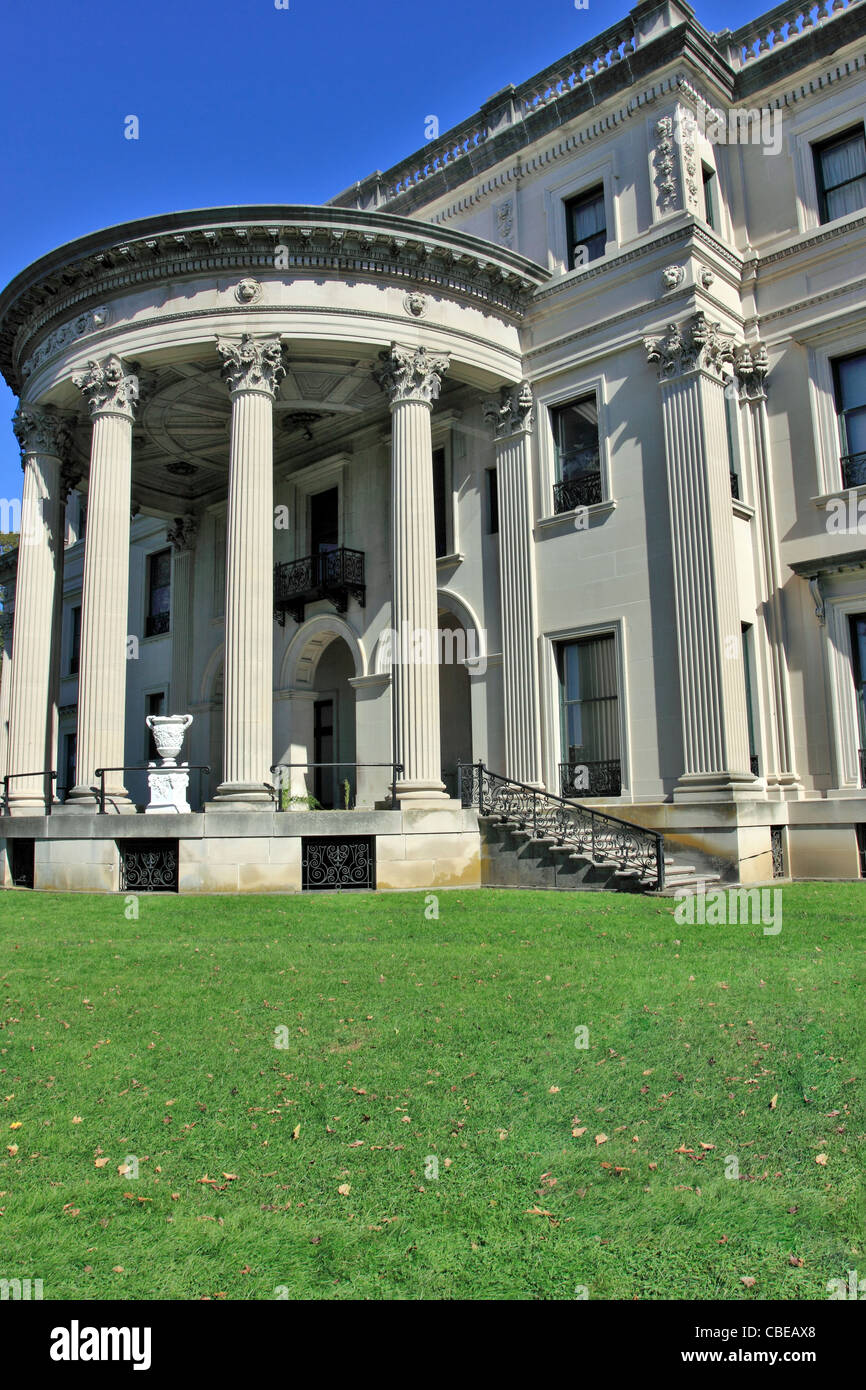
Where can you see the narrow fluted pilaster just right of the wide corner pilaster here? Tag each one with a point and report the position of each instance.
(781, 774)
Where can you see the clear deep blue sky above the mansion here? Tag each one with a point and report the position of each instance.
(244, 104)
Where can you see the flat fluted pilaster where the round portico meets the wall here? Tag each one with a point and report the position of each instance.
(512, 422)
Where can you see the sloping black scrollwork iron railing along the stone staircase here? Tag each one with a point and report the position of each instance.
(591, 833)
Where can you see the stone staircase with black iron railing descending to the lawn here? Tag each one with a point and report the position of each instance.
(534, 840)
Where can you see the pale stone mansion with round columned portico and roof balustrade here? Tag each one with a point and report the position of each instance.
(578, 394)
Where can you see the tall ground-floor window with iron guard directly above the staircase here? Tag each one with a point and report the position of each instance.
(590, 717)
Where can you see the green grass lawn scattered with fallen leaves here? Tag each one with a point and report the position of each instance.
(409, 1040)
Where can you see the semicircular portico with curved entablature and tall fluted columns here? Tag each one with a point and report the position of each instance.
(191, 363)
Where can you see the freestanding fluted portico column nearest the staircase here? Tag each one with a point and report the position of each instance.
(412, 379)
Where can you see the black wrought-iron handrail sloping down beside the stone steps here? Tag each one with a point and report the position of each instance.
(636, 846)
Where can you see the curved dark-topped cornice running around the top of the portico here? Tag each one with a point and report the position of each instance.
(212, 243)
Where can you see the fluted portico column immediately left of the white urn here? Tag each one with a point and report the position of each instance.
(112, 395)
